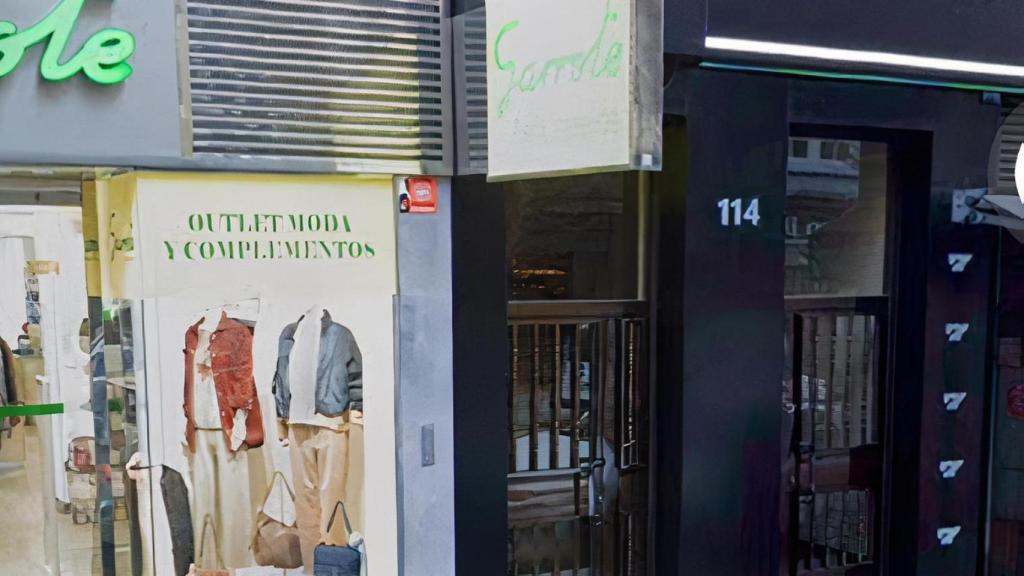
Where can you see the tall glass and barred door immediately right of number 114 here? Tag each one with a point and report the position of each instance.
(837, 222)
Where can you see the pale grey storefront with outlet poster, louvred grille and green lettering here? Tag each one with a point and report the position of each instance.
(220, 160)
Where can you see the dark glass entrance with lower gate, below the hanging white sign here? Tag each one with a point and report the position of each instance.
(578, 388)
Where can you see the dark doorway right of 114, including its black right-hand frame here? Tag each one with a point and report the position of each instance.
(854, 208)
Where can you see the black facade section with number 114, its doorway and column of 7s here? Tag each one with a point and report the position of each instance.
(862, 429)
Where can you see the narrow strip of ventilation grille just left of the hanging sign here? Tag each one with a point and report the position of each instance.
(472, 70)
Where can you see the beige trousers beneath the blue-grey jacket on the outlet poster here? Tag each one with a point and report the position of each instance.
(321, 468)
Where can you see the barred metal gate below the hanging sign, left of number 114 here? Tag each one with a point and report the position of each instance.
(579, 428)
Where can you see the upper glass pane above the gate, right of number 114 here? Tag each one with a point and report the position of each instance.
(836, 219)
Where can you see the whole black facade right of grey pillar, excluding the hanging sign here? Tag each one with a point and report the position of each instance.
(820, 326)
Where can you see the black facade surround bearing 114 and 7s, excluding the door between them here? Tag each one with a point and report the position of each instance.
(721, 318)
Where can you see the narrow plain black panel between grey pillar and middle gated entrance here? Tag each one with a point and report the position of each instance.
(481, 384)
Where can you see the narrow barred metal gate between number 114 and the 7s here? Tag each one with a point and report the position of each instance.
(838, 371)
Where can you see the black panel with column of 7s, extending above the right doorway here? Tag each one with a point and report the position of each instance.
(961, 130)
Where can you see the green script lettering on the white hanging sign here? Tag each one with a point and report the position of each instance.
(603, 60)
